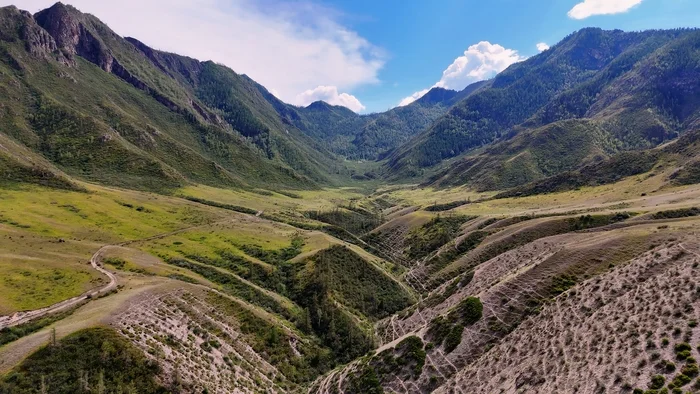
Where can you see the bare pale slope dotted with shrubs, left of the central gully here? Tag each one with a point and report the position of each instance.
(195, 345)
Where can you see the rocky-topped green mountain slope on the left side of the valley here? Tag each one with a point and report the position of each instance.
(100, 108)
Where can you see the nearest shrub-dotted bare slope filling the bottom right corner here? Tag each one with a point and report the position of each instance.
(610, 334)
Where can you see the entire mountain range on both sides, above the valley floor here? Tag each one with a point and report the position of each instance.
(80, 101)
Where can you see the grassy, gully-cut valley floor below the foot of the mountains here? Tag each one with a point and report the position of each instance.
(579, 291)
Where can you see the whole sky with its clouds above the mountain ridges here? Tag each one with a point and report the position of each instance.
(369, 55)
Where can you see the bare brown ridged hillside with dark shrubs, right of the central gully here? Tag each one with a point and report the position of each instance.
(523, 286)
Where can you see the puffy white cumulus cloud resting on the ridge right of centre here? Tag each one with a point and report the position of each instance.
(480, 61)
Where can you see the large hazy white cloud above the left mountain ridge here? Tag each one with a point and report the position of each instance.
(287, 47)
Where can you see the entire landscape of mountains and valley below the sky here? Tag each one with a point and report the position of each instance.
(170, 226)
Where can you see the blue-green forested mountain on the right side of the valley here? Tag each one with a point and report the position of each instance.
(592, 95)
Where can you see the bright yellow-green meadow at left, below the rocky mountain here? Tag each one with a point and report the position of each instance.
(47, 237)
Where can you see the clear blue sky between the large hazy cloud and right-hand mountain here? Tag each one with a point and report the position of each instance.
(422, 38)
